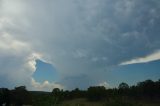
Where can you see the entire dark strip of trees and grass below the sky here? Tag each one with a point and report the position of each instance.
(146, 93)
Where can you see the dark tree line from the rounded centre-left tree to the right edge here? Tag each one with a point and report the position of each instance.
(147, 89)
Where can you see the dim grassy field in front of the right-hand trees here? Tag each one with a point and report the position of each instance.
(84, 102)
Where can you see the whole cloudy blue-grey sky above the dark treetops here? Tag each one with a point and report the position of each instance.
(46, 44)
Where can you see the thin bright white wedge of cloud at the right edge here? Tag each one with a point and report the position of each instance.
(149, 58)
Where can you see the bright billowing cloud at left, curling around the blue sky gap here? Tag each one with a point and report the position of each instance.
(20, 64)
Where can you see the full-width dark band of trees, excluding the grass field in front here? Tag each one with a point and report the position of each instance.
(148, 90)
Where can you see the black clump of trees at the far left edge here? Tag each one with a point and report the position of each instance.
(15, 97)
